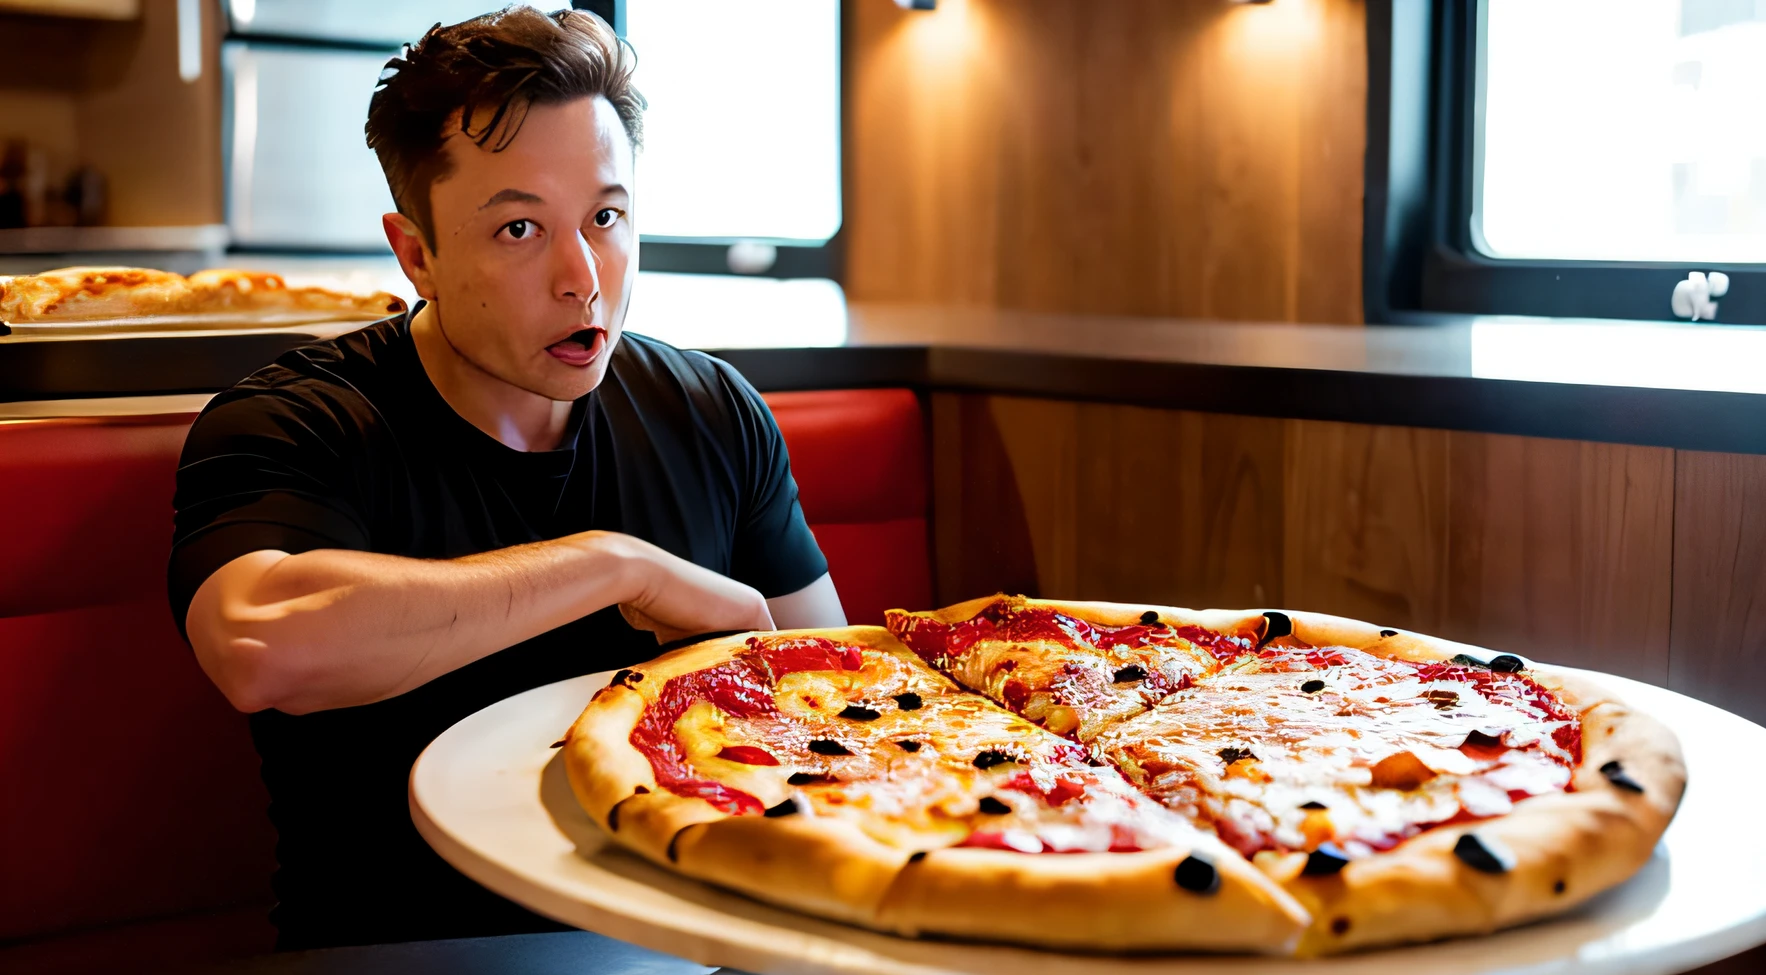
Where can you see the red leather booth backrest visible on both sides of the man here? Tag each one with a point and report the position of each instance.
(135, 826)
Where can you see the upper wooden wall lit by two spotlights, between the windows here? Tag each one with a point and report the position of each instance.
(1133, 158)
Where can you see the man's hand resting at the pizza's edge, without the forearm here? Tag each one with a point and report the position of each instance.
(679, 600)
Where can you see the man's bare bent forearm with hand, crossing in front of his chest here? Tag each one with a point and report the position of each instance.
(333, 628)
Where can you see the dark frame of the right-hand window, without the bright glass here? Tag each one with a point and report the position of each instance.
(1419, 257)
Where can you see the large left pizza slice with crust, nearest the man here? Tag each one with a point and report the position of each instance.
(836, 773)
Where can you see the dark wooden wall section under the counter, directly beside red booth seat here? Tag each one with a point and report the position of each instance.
(1106, 503)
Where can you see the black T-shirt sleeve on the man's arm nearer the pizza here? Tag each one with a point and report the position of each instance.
(774, 548)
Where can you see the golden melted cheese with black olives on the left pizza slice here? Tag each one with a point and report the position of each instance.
(1043, 797)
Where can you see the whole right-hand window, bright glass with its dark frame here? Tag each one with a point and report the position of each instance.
(1567, 158)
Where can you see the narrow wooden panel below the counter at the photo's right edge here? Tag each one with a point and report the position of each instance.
(1719, 642)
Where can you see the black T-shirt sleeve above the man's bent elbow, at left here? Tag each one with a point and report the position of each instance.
(264, 471)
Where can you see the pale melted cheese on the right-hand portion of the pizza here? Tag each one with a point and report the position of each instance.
(1378, 748)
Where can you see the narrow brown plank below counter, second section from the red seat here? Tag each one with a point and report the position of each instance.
(1368, 513)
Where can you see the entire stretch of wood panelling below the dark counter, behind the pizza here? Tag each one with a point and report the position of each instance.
(1634, 561)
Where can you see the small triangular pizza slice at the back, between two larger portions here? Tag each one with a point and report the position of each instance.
(1076, 669)
